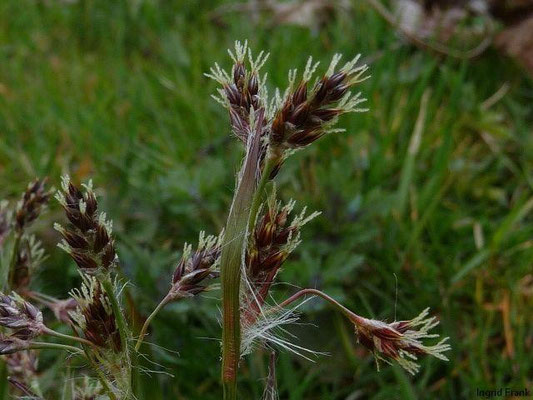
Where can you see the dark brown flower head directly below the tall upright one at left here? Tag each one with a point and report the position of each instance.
(94, 316)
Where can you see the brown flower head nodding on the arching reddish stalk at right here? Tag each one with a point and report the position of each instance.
(400, 341)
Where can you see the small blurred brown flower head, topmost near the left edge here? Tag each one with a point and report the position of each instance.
(31, 204)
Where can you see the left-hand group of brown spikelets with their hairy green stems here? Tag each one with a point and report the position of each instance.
(89, 312)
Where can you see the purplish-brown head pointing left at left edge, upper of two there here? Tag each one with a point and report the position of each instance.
(24, 319)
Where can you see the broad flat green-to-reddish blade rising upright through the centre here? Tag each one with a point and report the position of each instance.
(230, 265)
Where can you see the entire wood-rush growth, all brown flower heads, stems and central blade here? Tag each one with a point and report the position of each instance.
(260, 234)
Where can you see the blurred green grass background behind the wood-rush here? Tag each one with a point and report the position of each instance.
(115, 91)
